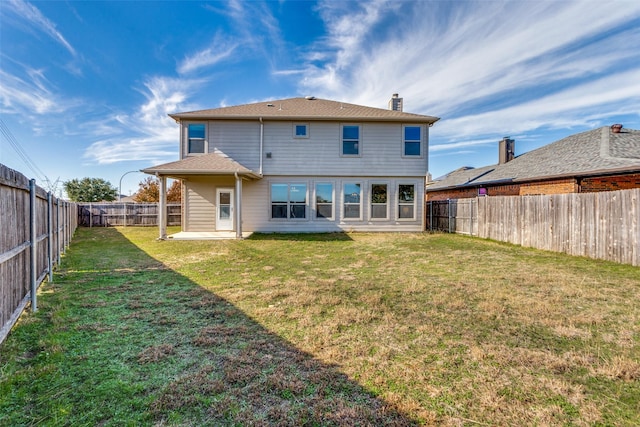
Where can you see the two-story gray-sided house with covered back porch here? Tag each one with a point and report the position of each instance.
(300, 165)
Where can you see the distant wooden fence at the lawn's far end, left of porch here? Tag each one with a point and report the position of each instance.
(125, 214)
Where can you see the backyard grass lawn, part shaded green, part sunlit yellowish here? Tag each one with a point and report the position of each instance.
(333, 329)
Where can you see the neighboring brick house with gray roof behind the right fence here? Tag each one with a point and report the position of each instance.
(602, 159)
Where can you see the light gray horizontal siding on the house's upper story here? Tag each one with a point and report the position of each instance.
(381, 148)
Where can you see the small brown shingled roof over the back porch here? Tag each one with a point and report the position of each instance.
(216, 163)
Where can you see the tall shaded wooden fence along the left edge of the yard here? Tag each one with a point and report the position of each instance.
(35, 229)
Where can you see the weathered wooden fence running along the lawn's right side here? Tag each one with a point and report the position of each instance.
(603, 225)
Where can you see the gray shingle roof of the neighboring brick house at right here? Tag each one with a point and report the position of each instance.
(598, 151)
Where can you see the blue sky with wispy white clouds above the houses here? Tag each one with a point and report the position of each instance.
(85, 87)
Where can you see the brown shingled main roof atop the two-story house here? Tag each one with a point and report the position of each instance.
(309, 108)
